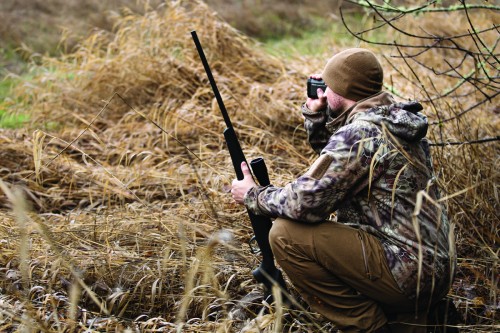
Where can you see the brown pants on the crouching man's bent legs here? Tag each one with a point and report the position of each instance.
(342, 273)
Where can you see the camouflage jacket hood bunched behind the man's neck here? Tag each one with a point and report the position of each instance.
(401, 119)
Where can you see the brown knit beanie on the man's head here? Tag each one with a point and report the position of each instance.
(354, 74)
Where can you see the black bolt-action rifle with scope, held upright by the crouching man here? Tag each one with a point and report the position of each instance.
(266, 273)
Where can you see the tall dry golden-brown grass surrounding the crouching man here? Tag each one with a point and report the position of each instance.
(131, 226)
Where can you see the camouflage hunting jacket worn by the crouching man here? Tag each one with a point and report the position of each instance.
(372, 171)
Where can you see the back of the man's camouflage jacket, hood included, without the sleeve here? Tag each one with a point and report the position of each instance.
(398, 199)
